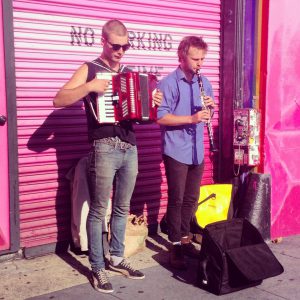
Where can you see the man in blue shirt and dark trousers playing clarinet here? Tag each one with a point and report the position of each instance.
(182, 117)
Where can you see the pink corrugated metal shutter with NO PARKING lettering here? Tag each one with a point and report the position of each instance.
(52, 38)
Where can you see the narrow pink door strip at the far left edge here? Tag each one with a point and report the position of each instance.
(4, 199)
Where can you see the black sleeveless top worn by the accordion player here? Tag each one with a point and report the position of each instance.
(124, 130)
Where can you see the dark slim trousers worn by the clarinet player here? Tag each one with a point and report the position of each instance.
(183, 194)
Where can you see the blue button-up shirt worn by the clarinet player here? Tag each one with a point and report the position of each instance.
(184, 143)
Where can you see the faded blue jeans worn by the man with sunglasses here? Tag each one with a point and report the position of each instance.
(107, 163)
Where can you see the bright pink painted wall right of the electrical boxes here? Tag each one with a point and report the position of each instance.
(282, 132)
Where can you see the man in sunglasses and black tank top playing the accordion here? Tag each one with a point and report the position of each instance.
(112, 159)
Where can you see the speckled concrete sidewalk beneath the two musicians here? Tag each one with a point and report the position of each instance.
(65, 277)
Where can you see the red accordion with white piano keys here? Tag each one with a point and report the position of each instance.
(128, 97)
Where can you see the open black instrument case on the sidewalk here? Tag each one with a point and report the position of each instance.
(234, 256)
